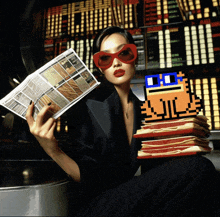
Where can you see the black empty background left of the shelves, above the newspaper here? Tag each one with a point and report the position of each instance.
(21, 39)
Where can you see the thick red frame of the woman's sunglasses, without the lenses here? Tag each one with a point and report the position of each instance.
(115, 55)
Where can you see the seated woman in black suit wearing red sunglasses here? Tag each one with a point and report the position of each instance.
(101, 154)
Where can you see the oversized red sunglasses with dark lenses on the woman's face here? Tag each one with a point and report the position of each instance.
(127, 54)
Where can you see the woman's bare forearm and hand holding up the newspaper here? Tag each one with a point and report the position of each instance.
(43, 130)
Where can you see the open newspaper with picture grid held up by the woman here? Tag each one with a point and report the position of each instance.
(62, 82)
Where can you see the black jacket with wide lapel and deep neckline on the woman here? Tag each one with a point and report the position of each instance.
(98, 141)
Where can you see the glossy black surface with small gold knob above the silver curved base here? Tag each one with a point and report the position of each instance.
(29, 172)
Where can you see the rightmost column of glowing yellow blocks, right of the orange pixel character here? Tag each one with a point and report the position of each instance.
(215, 103)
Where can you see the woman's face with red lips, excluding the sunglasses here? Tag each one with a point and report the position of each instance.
(118, 73)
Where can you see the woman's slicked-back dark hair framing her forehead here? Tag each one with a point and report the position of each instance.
(107, 32)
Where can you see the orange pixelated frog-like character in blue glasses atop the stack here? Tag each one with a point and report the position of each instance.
(168, 96)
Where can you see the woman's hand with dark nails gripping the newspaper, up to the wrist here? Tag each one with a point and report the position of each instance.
(43, 128)
